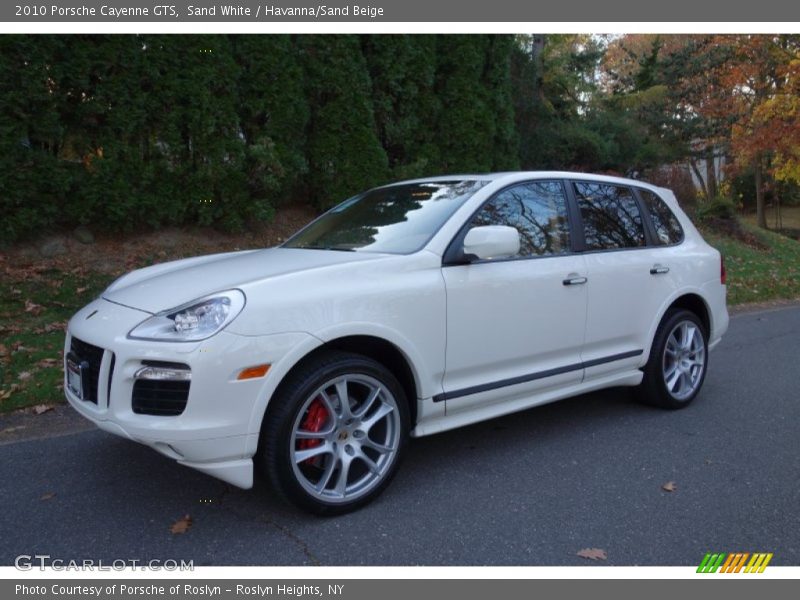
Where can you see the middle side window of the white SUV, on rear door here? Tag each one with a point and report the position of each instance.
(610, 215)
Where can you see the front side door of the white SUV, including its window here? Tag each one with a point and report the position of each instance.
(515, 326)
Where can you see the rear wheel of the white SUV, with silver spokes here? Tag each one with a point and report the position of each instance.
(677, 366)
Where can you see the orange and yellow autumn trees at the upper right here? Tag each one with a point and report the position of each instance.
(735, 95)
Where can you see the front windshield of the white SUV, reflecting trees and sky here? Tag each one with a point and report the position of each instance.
(397, 219)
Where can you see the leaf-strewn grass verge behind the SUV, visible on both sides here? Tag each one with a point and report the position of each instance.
(38, 296)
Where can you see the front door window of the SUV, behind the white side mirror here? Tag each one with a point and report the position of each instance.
(538, 210)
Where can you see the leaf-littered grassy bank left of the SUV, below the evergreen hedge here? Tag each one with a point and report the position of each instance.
(38, 295)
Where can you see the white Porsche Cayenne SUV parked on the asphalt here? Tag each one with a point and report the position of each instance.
(407, 310)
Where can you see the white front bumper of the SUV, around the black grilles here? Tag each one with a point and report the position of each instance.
(217, 432)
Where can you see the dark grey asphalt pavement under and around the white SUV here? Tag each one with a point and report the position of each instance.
(528, 489)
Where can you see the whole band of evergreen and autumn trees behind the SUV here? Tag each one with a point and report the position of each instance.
(136, 132)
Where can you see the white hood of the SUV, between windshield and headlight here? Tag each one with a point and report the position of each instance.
(167, 285)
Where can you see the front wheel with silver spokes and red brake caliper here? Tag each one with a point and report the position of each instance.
(328, 457)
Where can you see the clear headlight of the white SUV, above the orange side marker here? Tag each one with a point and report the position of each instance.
(192, 322)
